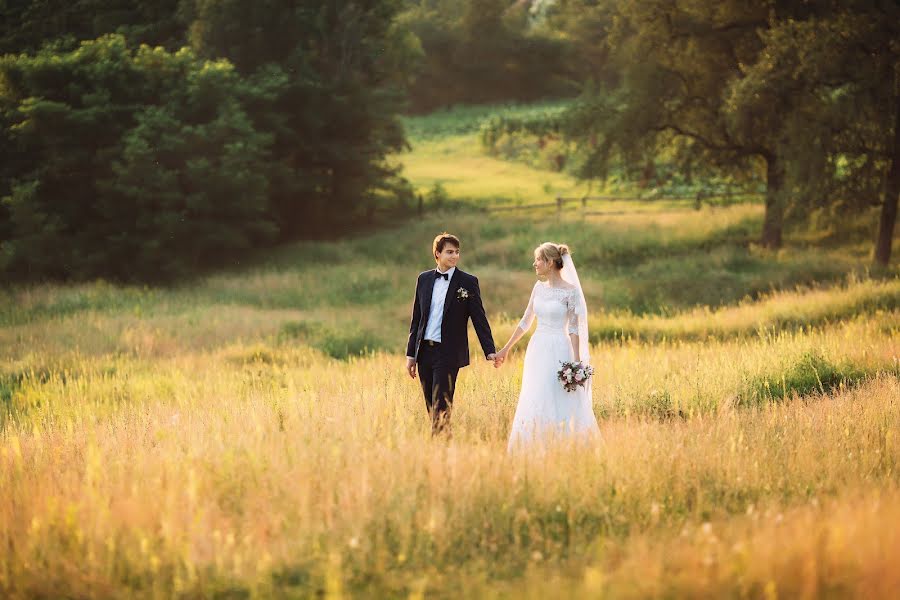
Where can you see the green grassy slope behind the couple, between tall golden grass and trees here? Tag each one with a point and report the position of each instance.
(673, 274)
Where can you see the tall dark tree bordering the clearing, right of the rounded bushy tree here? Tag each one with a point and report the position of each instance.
(333, 113)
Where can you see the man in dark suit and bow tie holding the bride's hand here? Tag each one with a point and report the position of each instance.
(446, 298)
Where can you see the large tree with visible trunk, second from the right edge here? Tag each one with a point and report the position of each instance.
(687, 83)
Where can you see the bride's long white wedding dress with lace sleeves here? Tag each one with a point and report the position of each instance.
(545, 407)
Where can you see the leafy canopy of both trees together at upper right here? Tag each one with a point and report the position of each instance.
(800, 96)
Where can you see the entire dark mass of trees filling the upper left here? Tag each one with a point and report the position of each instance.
(146, 141)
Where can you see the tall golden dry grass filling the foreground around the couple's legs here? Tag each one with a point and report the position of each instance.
(282, 472)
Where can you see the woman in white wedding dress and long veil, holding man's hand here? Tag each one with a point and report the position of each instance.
(545, 407)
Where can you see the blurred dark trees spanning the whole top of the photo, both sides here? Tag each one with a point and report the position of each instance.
(147, 143)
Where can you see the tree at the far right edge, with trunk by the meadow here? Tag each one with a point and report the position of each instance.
(840, 72)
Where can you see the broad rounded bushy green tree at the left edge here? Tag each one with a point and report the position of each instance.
(124, 170)
